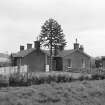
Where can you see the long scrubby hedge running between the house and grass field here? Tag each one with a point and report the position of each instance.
(41, 78)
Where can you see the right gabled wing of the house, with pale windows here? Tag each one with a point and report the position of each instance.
(75, 58)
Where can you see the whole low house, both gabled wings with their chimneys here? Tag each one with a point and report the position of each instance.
(38, 59)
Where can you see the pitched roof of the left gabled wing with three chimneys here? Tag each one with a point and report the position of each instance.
(26, 52)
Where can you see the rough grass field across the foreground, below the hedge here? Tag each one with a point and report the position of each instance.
(74, 93)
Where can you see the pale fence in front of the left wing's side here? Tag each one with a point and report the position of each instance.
(15, 69)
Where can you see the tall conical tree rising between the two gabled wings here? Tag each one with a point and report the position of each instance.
(52, 35)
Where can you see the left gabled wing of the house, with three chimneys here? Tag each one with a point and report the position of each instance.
(35, 58)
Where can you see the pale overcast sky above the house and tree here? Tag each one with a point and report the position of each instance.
(21, 21)
